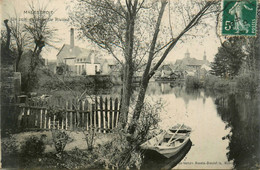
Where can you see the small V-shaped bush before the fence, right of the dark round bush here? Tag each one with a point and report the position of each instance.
(60, 139)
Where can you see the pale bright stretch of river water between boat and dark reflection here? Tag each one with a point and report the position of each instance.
(195, 108)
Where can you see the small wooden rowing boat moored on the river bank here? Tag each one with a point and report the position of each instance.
(170, 142)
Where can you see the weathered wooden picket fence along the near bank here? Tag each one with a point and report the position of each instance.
(101, 113)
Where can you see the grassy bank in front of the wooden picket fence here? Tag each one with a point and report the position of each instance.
(76, 154)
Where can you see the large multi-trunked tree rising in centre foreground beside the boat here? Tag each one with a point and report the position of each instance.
(126, 28)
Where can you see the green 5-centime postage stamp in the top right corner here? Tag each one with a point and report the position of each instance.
(239, 17)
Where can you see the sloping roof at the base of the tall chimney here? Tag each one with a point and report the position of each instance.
(67, 52)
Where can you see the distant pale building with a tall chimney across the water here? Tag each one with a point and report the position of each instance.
(80, 61)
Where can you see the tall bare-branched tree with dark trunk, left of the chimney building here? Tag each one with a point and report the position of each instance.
(41, 33)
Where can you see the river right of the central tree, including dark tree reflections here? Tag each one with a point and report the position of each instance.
(225, 127)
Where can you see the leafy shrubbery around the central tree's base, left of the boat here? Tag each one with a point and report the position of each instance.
(124, 151)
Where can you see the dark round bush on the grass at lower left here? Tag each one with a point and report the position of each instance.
(33, 147)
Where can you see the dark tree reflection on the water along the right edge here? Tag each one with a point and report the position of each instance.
(242, 115)
